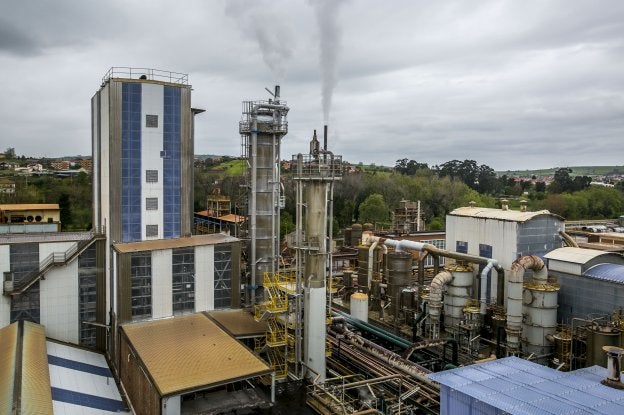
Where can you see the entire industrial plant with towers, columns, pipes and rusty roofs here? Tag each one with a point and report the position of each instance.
(162, 310)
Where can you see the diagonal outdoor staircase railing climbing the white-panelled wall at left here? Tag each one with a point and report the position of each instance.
(54, 259)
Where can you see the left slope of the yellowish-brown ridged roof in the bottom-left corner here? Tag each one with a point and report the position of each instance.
(8, 344)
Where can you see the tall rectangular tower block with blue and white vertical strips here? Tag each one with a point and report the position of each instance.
(142, 126)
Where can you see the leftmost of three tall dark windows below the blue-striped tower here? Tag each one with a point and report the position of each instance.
(141, 282)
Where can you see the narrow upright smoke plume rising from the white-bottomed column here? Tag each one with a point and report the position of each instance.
(330, 35)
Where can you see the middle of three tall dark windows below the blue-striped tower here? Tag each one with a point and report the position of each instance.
(183, 280)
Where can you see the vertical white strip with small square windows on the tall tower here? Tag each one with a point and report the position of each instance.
(152, 101)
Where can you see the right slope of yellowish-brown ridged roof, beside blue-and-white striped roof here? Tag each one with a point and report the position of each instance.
(36, 391)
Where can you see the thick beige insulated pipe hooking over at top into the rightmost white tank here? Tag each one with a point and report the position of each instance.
(514, 296)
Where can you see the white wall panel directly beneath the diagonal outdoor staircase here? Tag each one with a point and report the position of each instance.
(59, 302)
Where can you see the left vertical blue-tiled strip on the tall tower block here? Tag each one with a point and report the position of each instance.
(130, 162)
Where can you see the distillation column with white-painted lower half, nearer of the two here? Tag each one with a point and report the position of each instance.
(315, 176)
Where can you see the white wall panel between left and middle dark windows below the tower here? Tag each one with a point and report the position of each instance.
(161, 284)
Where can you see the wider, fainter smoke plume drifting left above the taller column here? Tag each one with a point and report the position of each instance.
(259, 21)
